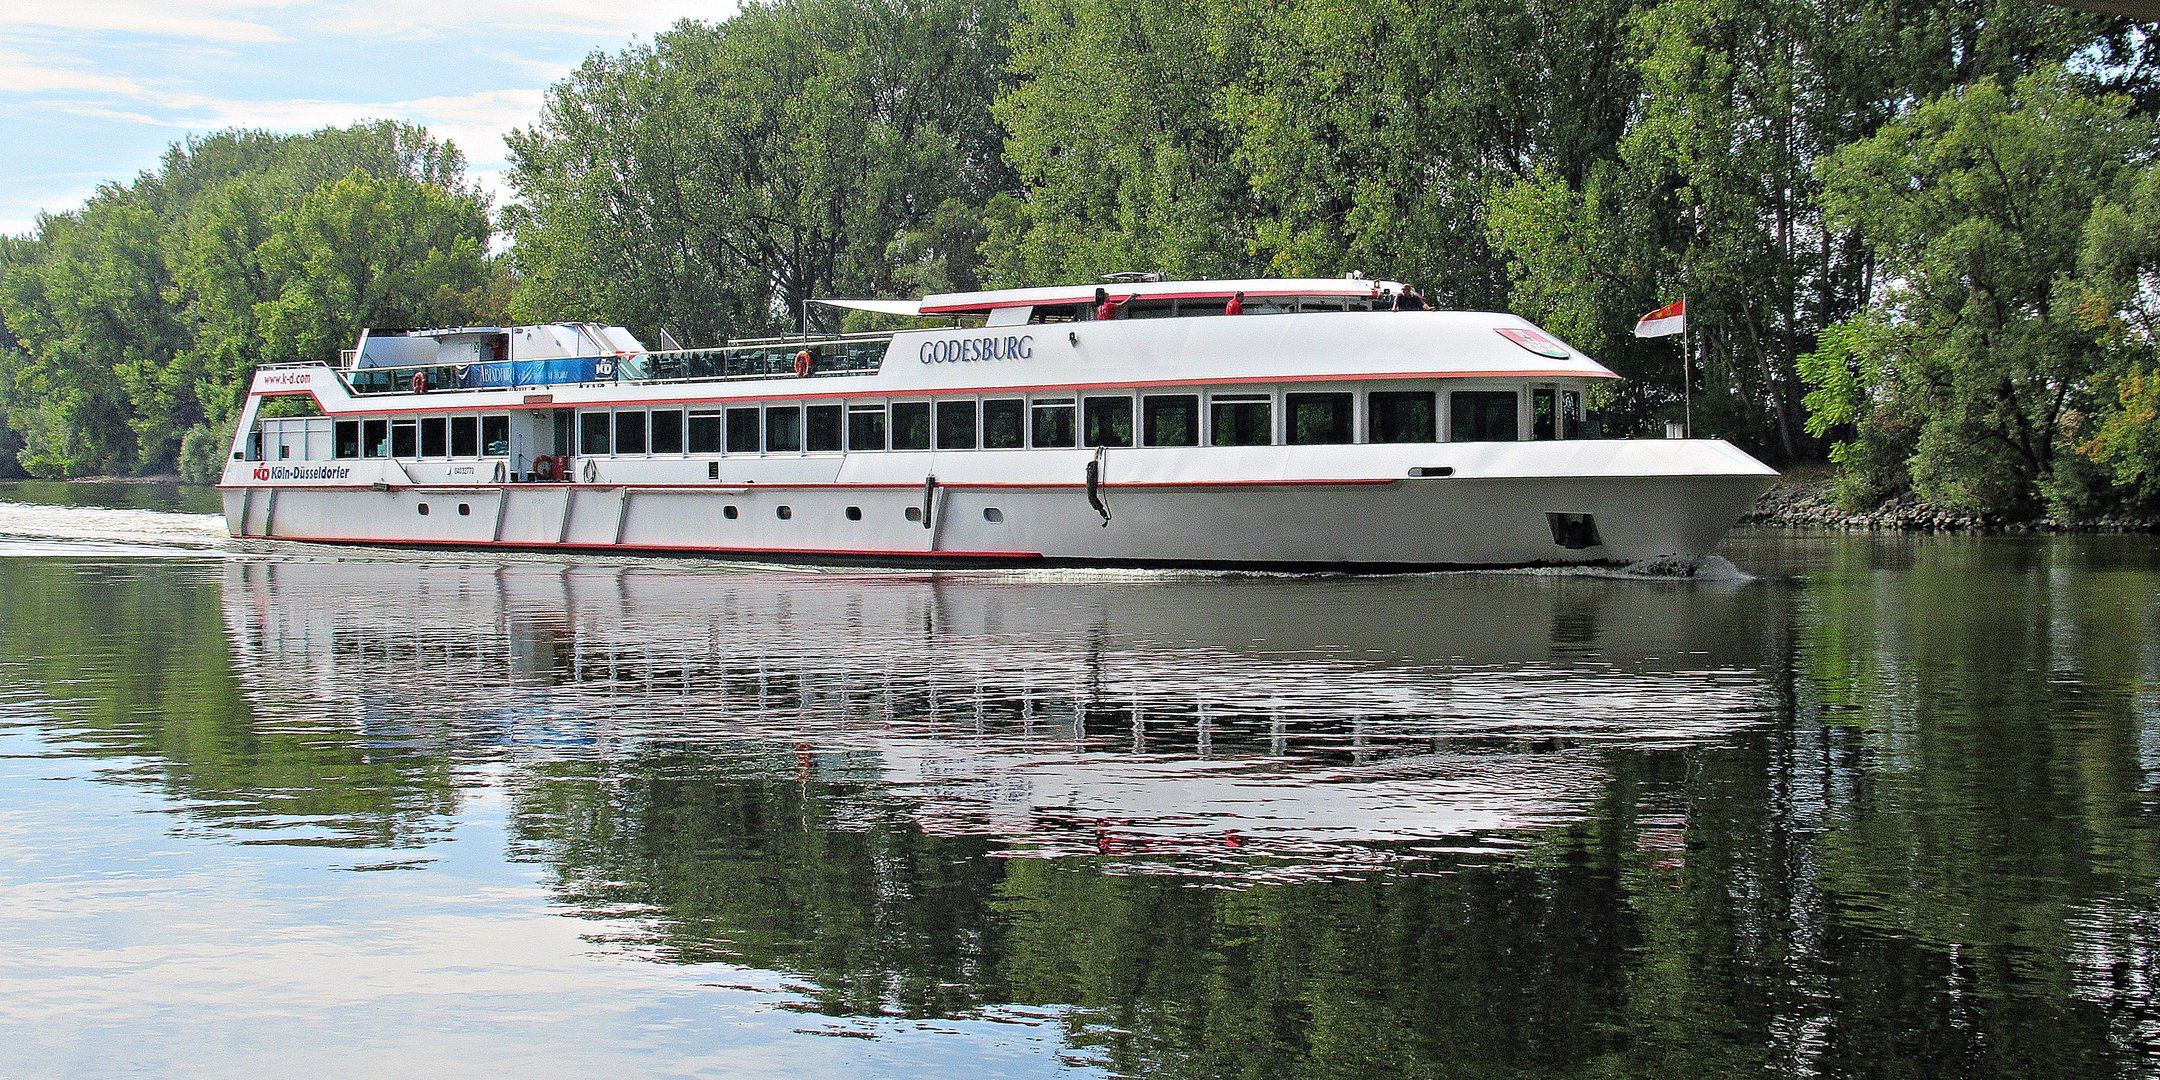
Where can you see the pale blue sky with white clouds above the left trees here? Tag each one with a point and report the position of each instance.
(96, 90)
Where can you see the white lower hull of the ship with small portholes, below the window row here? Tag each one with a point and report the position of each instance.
(1349, 509)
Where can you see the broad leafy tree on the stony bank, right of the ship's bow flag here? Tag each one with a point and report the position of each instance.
(1977, 206)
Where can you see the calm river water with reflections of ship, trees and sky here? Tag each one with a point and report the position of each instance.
(1848, 807)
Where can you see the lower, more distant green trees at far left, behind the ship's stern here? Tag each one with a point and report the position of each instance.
(144, 314)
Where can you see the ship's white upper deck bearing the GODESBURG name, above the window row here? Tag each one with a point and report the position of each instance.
(1010, 340)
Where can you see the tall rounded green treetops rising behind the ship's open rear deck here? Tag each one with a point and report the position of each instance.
(727, 174)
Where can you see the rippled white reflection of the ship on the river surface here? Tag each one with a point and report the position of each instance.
(1105, 714)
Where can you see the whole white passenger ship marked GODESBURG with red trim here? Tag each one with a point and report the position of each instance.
(1230, 424)
